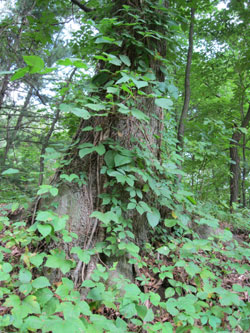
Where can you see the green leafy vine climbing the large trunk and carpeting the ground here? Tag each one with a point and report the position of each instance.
(179, 280)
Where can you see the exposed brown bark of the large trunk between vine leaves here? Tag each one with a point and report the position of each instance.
(78, 201)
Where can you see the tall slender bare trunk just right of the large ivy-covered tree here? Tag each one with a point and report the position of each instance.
(187, 90)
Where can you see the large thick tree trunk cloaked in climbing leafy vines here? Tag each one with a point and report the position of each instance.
(117, 146)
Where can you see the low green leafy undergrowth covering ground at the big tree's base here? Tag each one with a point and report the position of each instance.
(183, 284)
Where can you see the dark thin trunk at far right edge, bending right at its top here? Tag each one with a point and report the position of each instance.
(235, 160)
